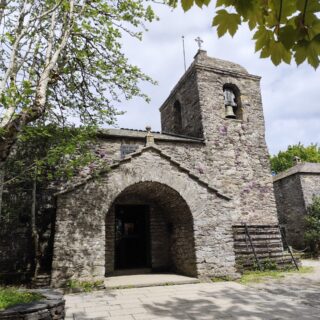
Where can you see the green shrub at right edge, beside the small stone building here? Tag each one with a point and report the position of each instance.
(312, 233)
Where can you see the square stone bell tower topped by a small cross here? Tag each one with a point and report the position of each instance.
(220, 102)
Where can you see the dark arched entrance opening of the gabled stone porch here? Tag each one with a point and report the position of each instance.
(149, 225)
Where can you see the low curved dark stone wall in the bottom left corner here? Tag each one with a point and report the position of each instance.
(52, 307)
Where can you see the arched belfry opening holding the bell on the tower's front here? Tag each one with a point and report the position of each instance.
(232, 103)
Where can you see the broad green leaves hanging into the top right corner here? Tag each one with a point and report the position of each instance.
(283, 29)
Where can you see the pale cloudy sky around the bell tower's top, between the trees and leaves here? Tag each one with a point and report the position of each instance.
(290, 94)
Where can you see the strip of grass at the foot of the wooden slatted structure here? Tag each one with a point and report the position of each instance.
(261, 276)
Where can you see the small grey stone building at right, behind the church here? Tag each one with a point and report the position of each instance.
(294, 190)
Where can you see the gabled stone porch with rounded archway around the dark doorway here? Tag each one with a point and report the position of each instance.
(84, 220)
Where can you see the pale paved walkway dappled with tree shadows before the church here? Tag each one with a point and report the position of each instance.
(296, 298)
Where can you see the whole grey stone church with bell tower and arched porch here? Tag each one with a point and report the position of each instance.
(169, 201)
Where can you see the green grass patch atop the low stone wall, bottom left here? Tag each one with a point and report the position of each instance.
(12, 296)
